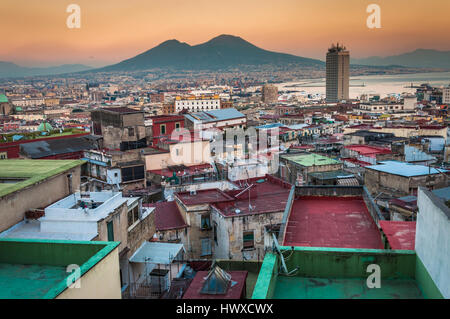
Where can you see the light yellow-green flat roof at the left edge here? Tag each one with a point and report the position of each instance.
(30, 172)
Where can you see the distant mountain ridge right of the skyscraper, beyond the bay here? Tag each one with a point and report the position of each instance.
(420, 58)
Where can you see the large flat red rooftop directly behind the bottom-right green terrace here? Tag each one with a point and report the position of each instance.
(341, 222)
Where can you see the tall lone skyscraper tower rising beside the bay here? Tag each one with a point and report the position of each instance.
(337, 74)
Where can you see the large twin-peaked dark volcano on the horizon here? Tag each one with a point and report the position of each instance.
(220, 52)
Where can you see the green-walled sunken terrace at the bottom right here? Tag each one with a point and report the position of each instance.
(339, 273)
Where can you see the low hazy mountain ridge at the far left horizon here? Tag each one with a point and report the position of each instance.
(8, 69)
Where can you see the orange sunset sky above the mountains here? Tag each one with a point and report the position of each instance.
(34, 32)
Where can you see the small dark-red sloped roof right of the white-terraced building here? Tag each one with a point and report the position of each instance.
(167, 216)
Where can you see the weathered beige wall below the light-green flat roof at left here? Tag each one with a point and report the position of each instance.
(13, 206)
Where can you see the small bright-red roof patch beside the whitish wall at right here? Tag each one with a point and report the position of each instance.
(400, 235)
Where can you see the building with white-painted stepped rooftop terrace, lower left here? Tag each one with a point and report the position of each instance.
(94, 216)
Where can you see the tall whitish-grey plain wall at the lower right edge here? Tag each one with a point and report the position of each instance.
(433, 239)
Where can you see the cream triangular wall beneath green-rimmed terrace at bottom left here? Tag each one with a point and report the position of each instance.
(100, 282)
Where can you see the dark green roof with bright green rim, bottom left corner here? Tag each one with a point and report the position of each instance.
(34, 269)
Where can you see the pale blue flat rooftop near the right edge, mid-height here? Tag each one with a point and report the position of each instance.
(404, 169)
